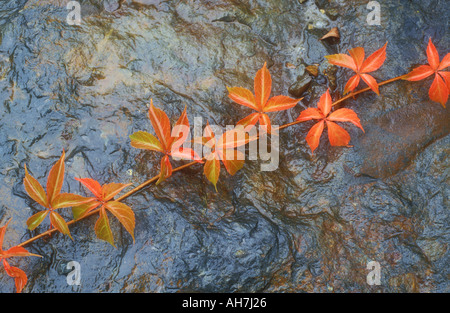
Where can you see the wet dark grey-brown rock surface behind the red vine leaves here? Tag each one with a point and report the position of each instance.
(312, 225)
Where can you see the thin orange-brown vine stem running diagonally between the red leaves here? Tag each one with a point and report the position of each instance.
(155, 178)
